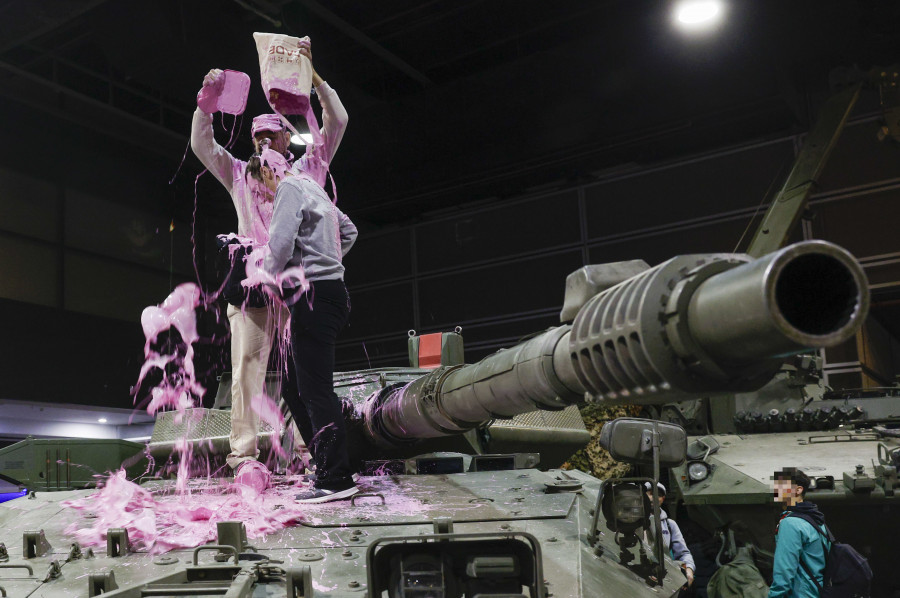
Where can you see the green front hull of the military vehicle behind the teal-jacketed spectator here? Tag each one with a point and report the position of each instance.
(862, 509)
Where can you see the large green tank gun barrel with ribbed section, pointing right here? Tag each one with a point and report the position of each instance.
(693, 326)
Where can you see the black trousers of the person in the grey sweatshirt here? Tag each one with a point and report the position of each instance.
(317, 409)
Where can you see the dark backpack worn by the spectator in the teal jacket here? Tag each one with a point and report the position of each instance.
(847, 573)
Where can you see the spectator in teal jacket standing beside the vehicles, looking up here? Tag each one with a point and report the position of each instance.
(797, 543)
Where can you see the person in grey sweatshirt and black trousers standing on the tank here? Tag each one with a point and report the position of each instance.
(310, 234)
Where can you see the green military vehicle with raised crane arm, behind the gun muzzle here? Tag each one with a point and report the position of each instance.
(846, 440)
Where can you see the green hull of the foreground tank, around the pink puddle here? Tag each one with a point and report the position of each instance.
(333, 539)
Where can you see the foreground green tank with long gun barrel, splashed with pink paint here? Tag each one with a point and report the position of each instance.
(474, 522)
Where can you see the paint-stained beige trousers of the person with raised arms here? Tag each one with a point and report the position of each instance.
(252, 333)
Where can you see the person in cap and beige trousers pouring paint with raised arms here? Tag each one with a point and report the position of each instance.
(254, 328)
